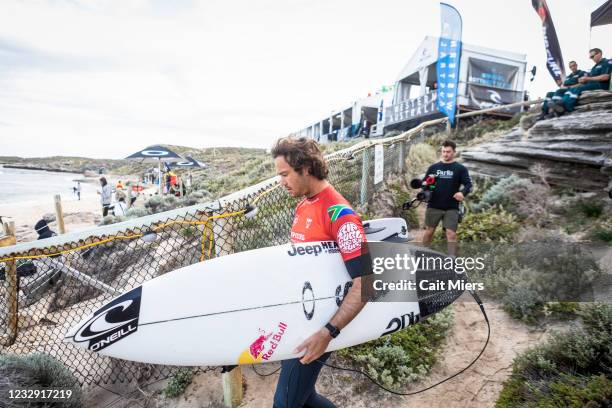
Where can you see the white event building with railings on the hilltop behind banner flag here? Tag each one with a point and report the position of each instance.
(487, 77)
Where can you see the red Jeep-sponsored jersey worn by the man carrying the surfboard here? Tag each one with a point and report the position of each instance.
(329, 217)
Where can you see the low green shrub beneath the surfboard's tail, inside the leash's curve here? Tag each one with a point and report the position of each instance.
(404, 356)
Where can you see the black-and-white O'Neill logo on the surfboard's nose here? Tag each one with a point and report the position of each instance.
(112, 323)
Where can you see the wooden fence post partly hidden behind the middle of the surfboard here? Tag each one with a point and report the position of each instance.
(223, 230)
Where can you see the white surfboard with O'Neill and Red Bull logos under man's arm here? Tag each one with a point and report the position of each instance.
(251, 307)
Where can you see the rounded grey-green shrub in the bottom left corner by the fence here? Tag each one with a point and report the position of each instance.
(36, 371)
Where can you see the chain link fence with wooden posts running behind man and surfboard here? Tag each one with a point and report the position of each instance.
(48, 286)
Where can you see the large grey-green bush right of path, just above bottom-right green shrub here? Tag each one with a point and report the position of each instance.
(528, 276)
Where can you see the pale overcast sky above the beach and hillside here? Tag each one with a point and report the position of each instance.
(103, 78)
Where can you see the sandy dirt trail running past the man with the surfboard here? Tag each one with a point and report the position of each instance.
(477, 387)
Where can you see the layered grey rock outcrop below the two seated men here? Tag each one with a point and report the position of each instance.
(574, 150)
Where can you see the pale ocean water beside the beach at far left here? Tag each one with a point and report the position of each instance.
(23, 186)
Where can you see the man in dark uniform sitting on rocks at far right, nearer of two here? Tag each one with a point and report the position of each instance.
(598, 78)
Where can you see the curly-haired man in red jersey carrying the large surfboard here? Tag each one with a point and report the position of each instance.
(323, 215)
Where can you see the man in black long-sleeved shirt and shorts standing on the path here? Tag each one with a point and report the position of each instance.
(446, 194)
